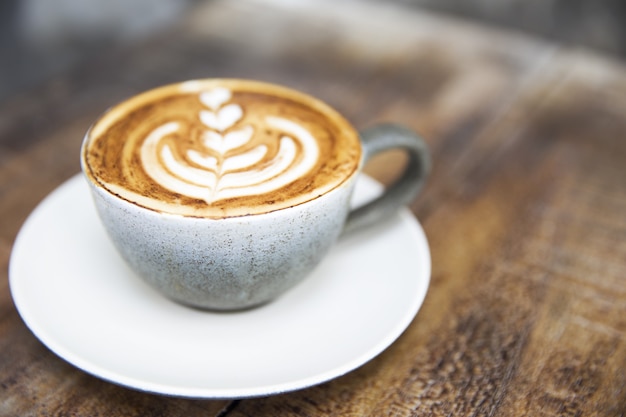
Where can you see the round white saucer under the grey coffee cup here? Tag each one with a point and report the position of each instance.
(80, 300)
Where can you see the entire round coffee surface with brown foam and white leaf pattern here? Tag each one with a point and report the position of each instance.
(220, 148)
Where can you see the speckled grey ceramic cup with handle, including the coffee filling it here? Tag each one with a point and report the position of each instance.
(223, 194)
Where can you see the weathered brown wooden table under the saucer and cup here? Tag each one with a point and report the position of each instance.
(525, 209)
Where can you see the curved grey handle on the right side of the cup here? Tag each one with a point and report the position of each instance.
(405, 189)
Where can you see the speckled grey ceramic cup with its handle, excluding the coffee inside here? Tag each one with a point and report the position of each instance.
(241, 262)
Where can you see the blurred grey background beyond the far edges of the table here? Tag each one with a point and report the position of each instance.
(39, 38)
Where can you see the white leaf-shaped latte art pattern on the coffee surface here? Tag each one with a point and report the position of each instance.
(223, 167)
